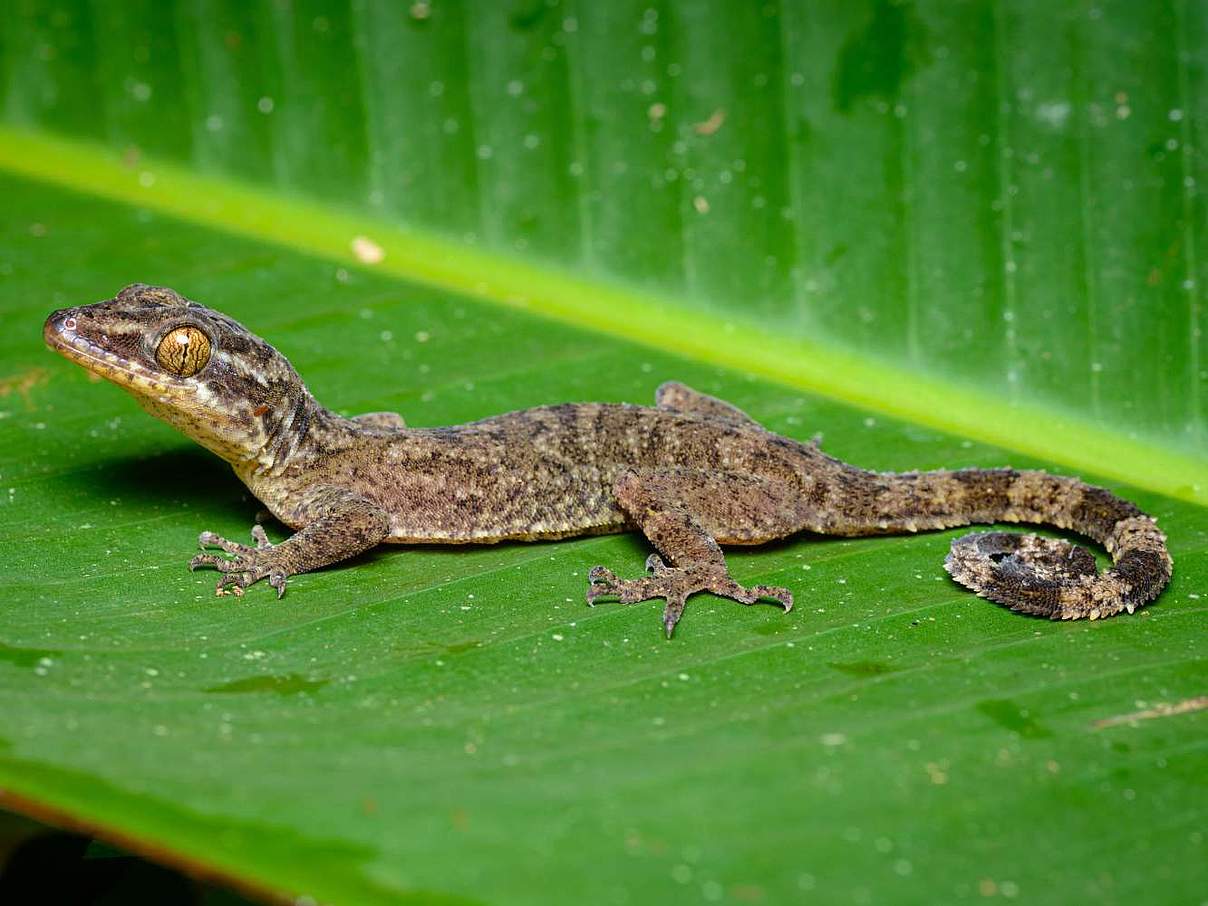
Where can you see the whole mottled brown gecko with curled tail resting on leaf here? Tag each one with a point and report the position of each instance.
(692, 474)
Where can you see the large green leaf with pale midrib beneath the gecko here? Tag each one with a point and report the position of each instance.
(896, 224)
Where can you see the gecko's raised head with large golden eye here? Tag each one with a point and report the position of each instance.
(191, 367)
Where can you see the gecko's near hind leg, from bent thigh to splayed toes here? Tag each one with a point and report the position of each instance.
(661, 503)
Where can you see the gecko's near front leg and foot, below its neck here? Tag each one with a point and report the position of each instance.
(339, 525)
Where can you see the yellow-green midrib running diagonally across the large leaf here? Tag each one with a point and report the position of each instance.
(609, 309)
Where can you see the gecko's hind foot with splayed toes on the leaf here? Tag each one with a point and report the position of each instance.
(676, 585)
